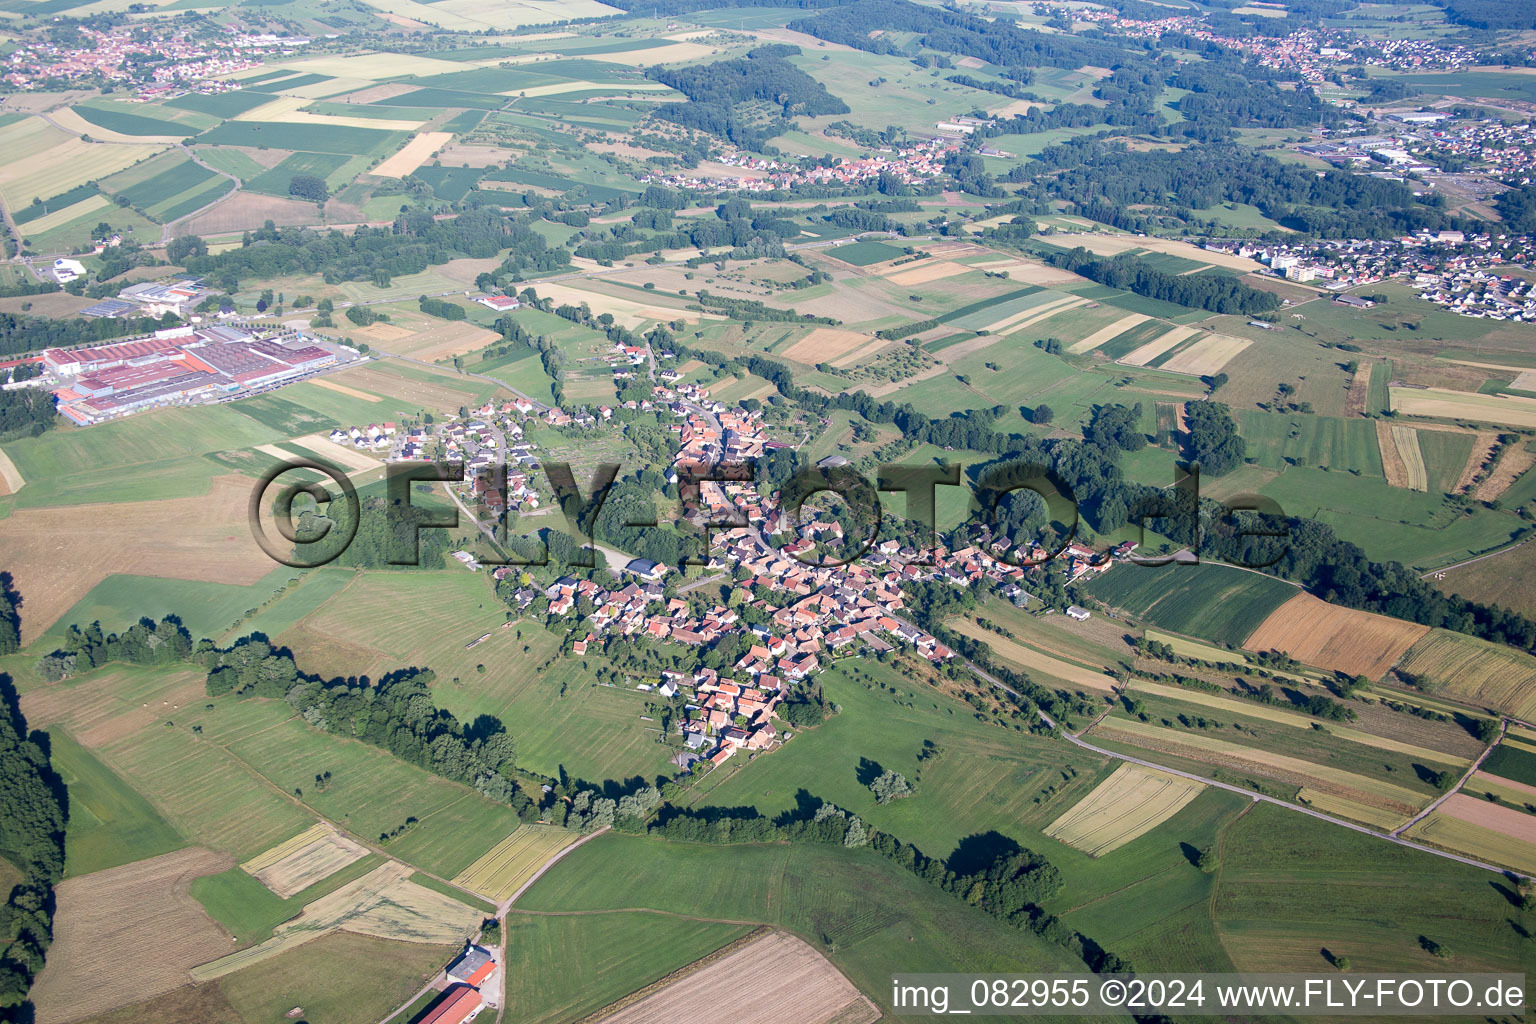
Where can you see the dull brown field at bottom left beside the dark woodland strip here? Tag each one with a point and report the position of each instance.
(127, 934)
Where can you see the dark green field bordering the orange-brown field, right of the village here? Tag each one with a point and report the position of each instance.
(1210, 601)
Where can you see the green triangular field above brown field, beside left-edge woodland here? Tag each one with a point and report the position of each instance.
(108, 824)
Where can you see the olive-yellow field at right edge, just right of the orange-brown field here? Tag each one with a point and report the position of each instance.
(1478, 672)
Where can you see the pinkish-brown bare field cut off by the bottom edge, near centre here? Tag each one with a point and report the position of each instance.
(773, 980)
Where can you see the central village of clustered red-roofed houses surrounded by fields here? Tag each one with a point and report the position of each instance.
(818, 613)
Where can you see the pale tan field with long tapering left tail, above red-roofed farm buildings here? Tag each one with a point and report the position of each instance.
(383, 903)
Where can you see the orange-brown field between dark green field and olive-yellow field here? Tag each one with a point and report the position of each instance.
(1336, 638)
